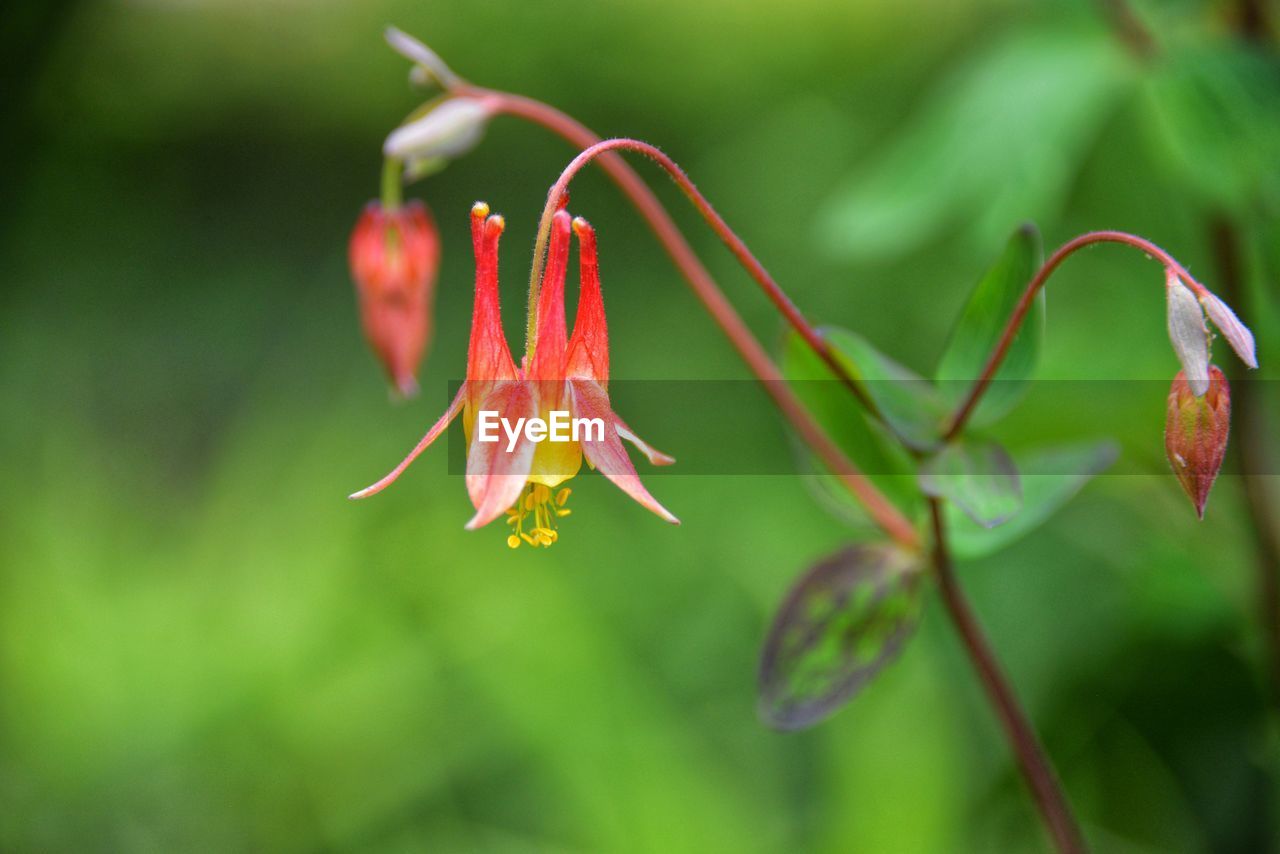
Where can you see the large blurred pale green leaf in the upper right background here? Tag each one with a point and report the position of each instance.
(999, 143)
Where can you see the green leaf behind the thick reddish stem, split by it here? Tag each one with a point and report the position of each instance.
(844, 419)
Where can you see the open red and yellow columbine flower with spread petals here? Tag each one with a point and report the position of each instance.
(559, 375)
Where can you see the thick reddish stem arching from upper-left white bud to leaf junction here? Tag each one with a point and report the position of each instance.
(879, 508)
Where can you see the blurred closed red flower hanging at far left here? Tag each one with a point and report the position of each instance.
(395, 254)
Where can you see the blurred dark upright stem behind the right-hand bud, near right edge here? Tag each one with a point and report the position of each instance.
(1251, 450)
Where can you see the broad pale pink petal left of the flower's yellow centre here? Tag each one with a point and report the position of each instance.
(496, 477)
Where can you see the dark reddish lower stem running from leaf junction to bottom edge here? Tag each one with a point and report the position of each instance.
(1032, 760)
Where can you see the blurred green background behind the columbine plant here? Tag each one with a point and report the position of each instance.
(205, 649)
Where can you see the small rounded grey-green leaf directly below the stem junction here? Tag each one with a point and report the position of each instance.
(979, 477)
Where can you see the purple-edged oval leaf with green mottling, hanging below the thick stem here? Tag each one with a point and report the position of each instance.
(842, 623)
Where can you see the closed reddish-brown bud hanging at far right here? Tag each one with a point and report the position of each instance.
(1196, 435)
